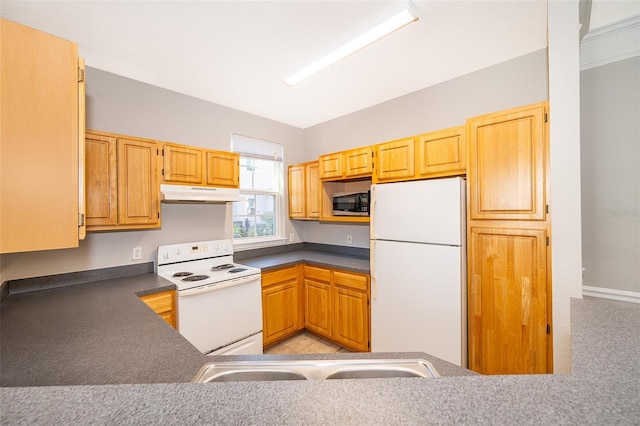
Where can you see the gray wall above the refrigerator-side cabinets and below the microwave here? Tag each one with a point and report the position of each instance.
(517, 82)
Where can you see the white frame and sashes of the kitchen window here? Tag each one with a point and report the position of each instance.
(249, 147)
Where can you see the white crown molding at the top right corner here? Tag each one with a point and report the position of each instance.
(610, 43)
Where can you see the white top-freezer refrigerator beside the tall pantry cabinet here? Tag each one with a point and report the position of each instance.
(418, 268)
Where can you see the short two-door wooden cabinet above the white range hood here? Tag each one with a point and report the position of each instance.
(196, 166)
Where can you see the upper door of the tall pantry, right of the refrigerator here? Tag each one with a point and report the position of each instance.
(507, 164)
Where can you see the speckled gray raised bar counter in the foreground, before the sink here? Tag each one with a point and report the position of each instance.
(603, 389)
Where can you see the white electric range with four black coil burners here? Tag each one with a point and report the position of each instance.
(219, 301)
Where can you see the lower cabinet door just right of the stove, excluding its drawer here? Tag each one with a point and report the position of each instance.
(279, 311)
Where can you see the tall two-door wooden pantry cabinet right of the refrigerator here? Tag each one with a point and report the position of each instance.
(509, 285)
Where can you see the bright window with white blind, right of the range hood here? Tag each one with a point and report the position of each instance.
(259, 218)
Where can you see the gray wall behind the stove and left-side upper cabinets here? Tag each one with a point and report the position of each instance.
(120, 105)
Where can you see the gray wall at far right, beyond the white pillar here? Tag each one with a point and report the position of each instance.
(610, 156)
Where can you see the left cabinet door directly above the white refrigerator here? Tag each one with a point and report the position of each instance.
(395, 160)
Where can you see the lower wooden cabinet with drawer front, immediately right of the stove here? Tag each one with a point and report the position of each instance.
(282, 313)
